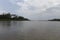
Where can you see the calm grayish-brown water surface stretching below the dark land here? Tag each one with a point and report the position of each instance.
(29, 30)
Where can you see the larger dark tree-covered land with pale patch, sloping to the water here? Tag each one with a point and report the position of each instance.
(12, 17)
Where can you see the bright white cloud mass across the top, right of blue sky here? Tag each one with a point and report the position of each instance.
(38, 5)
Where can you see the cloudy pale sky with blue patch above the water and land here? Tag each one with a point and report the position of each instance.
(32, 9)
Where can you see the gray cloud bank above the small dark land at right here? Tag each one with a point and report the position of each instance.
(50, 13)
